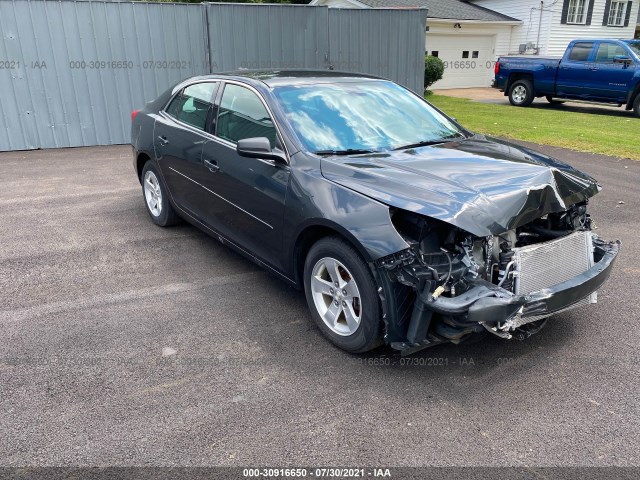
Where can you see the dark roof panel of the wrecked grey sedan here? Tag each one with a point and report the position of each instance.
(274, 78)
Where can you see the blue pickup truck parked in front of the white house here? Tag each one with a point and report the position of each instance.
(604, 71)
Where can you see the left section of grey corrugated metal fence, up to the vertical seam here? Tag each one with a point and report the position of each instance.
(53, 100)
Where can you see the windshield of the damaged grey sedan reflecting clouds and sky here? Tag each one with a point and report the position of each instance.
(362, 116)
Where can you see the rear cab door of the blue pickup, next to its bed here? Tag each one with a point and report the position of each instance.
(575, 77)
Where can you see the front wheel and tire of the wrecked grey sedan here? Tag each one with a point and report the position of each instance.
(354, 324)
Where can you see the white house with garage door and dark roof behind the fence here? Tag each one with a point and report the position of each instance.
(470, 35)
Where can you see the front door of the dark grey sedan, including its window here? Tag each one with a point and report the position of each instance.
(252, 191)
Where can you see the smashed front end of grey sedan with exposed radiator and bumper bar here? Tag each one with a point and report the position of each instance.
(450, 284)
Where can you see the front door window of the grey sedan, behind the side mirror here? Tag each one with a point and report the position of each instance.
(243, 115)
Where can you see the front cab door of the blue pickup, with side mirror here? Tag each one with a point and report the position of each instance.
(612, 80)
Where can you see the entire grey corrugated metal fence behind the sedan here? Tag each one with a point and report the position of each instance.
(72, 71)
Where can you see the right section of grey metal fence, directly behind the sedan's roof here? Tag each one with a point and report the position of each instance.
(387, 43)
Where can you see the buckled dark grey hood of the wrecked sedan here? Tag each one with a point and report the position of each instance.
(484, 186)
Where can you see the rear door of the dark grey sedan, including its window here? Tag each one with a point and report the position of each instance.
(179, 138)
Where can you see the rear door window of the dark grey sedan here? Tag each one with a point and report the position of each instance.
(193, 104)
